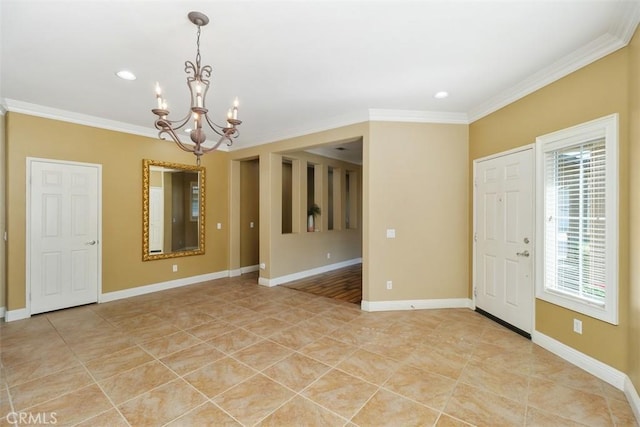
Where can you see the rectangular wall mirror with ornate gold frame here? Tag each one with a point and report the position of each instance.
(173, 208)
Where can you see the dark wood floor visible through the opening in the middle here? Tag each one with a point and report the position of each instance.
(344, 284)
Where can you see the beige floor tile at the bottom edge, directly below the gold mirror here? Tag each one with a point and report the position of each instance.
(162, 404)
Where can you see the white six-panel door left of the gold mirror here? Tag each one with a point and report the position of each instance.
(63, 234)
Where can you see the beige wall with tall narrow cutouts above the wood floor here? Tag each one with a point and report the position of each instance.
(299, 251)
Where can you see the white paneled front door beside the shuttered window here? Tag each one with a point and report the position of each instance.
(503, 256)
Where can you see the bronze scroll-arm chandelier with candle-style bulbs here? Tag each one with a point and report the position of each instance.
(198, 83)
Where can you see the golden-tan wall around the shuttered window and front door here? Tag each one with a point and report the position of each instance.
(591, 92)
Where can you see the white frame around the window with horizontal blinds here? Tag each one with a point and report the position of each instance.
(607, 128)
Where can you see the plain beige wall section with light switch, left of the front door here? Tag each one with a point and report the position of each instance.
(416, 179)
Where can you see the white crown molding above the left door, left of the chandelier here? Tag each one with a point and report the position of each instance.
(77, 118)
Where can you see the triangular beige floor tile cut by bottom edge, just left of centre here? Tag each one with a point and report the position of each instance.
(302, 412)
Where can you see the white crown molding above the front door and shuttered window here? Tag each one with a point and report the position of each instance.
(591, 52)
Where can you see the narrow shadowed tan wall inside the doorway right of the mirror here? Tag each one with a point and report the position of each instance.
(249, 212)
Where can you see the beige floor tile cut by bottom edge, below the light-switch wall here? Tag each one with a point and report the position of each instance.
(389, 409)
